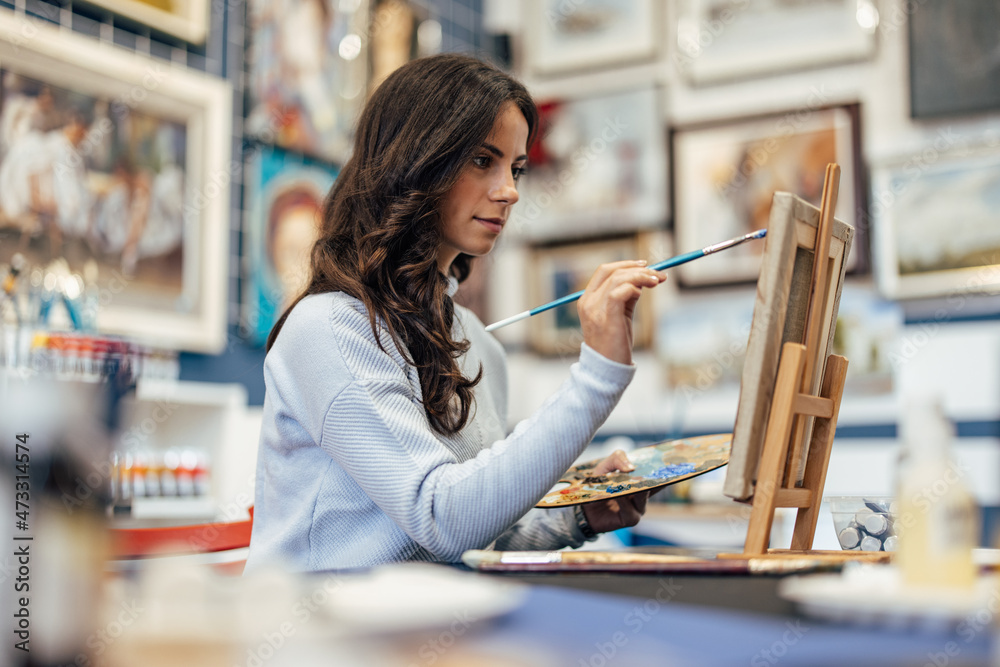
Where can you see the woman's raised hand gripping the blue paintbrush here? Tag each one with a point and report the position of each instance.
(608, 303)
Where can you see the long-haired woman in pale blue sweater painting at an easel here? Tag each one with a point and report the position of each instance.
(383, 432)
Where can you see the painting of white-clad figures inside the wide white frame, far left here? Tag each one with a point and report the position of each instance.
(88, 179)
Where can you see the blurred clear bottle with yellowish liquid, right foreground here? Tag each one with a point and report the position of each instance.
(938, 519)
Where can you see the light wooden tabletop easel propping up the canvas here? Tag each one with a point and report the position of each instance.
(792, 404)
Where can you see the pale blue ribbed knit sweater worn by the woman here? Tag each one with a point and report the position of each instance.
(350, 473)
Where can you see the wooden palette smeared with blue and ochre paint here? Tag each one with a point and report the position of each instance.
(655, 466)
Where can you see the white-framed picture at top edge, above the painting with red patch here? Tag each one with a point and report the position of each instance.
(586, 34)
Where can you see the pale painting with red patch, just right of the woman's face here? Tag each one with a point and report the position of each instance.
(599, 167)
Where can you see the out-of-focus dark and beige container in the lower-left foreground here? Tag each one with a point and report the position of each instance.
(56, 435)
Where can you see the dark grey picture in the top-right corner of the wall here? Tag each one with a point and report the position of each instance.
(954, 68)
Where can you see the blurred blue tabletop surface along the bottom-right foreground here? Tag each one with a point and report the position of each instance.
(585, 629)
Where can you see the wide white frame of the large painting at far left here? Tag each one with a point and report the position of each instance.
(115, 82)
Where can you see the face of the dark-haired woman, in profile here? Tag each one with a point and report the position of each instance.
(475, 210)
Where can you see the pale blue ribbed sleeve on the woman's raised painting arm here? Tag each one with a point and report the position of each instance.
(378, 433)
